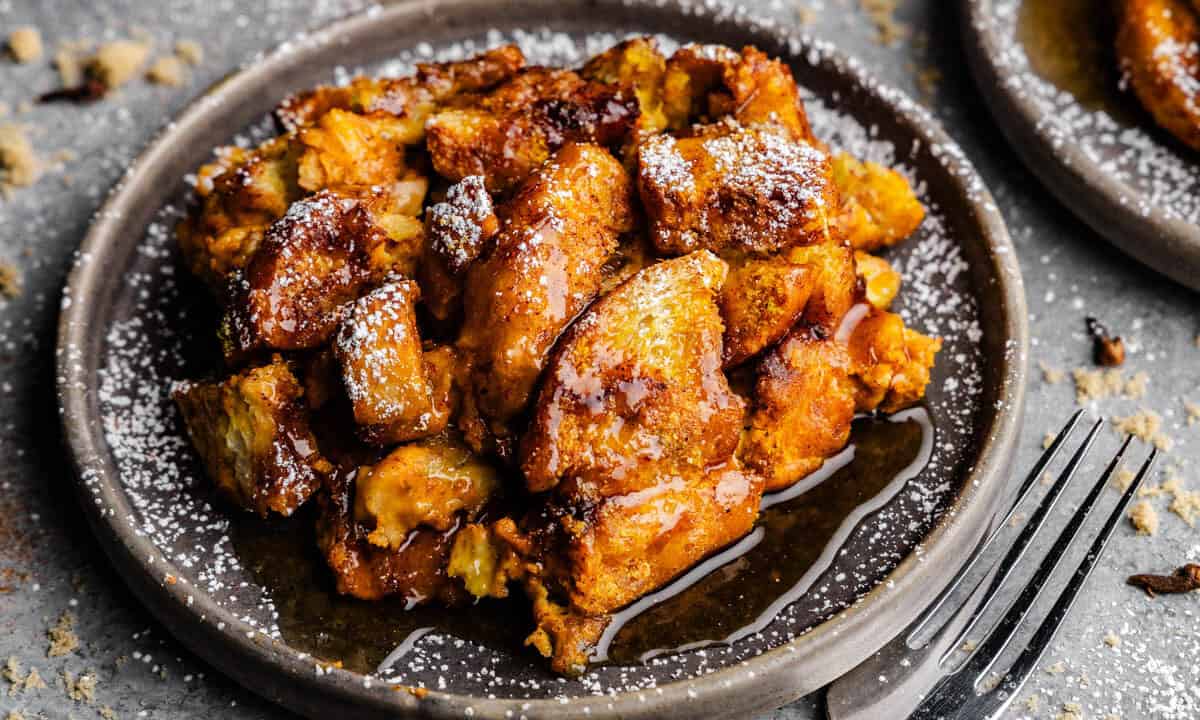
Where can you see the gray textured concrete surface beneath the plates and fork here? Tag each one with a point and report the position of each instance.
(50, 565)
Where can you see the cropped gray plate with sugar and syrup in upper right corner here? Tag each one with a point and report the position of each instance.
(1090, 145)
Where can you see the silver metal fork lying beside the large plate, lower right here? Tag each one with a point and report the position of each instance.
(927, 653)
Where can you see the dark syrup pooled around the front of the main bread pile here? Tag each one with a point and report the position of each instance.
(725, 598)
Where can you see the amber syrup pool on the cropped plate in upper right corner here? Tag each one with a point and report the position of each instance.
(1071, 44)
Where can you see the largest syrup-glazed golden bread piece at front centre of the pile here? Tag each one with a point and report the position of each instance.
(635, 424)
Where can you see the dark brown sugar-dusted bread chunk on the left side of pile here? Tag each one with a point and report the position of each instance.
(313, 261)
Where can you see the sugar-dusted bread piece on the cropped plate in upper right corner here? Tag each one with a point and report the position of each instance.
(1159, 50)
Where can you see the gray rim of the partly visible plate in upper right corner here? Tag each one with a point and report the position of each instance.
(1167, 245)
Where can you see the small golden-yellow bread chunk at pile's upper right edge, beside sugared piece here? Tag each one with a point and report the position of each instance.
(879, 207)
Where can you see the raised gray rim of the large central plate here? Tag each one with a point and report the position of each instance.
(776, 677)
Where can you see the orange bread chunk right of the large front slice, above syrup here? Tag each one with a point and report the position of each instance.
(803, 409)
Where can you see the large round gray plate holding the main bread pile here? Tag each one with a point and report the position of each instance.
(131, 323)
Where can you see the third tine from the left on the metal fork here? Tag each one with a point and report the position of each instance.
(1003, 633)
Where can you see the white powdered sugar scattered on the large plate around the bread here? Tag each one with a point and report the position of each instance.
(153, 343)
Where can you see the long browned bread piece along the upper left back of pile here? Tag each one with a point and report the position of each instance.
(410, 100)
